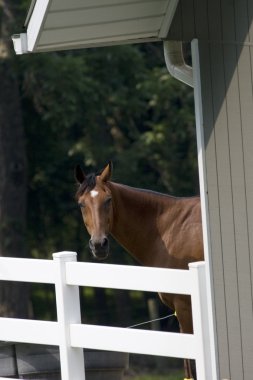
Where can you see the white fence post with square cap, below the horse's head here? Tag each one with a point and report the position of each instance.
(68, 311)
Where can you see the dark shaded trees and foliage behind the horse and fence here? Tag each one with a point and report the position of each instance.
(88, 107)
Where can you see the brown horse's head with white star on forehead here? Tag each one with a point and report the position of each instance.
(95, 200)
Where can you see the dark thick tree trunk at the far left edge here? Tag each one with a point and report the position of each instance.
(13, 297)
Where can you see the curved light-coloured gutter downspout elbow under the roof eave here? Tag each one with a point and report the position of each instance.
(174, 58)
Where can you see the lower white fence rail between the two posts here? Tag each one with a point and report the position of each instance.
(134, 341)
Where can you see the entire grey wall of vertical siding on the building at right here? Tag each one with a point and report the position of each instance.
(225, 32)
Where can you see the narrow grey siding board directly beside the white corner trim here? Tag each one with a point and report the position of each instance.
(214, 206)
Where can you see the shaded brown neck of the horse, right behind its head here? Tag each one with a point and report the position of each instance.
(135, 223)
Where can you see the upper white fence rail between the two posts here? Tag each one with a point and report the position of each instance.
(129, 277)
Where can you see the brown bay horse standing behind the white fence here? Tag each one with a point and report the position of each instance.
(158, 230)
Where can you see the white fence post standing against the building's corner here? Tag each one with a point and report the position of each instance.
(201, 322)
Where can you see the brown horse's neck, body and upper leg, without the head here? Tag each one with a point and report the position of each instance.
(159, 231)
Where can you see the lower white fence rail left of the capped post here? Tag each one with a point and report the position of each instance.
(29, 331)
